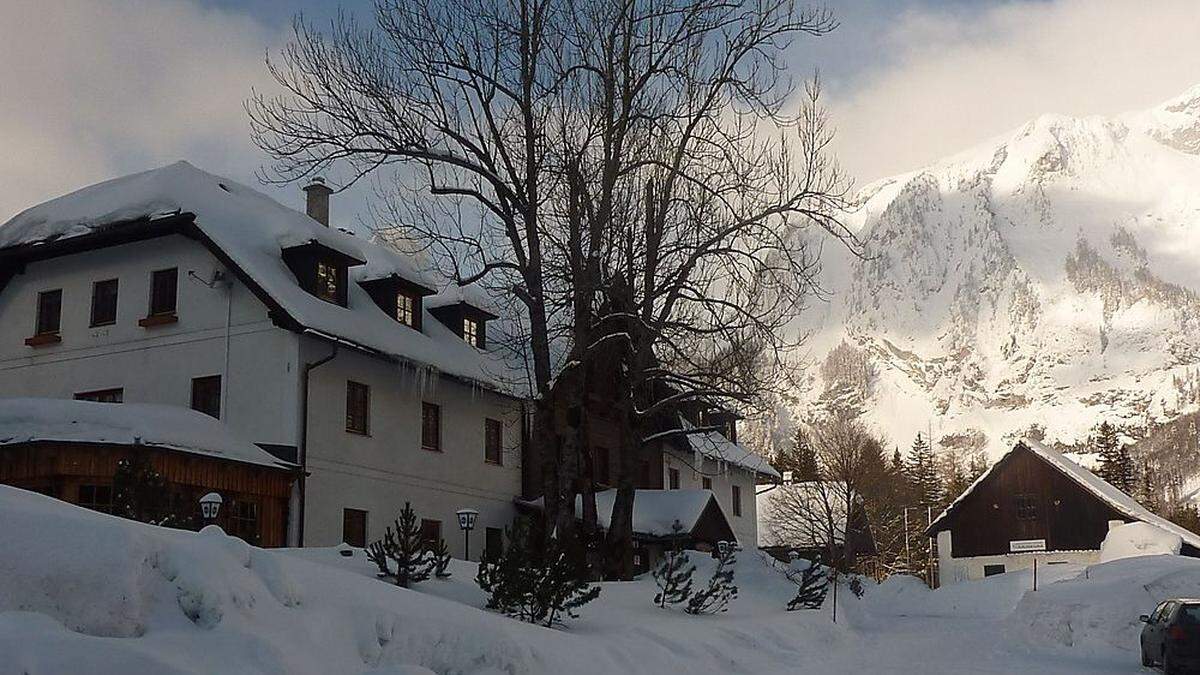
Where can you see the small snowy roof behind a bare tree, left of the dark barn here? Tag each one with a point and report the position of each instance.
(809, 507)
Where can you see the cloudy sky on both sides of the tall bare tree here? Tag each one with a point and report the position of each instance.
(93, 89)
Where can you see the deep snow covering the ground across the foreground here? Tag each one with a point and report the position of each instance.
(82, 592)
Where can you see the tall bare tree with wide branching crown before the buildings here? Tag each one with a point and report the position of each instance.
(631, 170)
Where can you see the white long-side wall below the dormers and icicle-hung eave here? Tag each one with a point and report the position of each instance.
(380, 473)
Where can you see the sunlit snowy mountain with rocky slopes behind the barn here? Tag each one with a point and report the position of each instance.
(1035, 285)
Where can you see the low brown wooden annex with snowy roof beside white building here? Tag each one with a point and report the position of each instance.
(73, 450)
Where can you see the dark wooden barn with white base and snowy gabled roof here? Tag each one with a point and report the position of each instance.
(1035, 504)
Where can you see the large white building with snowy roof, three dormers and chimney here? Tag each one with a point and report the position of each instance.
(177, 286)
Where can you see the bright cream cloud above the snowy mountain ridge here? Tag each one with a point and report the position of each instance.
(945, 80)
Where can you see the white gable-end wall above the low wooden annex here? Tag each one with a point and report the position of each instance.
(152, 365)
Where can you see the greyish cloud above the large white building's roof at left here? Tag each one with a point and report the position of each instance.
(92, 91)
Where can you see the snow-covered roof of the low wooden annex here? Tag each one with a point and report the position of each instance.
(26, 421)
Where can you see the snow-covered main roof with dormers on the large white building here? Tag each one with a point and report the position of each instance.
(251, 229)
